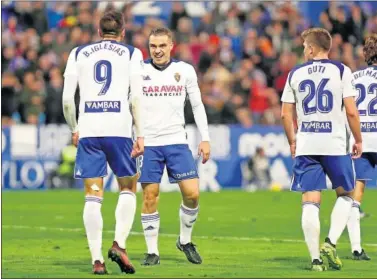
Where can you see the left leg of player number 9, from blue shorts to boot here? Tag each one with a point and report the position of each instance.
(91, 166)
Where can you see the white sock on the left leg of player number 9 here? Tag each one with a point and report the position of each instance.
(93, 223)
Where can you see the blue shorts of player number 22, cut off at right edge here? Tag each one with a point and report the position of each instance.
(365, 166)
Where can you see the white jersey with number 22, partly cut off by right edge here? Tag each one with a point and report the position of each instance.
(366, 85)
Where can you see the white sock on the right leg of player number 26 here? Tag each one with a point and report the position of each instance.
(339, 217)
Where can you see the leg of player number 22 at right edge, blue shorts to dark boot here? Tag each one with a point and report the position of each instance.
(364, 168)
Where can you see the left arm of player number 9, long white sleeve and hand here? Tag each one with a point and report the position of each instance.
(70, 85)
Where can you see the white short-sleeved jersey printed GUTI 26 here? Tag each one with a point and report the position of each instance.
(318, 88)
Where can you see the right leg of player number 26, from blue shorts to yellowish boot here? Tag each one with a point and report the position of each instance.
(341, 173)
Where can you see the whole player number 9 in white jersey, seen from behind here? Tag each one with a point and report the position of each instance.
(106, 71)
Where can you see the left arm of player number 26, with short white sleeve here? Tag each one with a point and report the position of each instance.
(287, 116)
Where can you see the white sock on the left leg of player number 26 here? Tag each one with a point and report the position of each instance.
(311, 227)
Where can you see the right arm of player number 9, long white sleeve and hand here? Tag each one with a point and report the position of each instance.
(136, 84)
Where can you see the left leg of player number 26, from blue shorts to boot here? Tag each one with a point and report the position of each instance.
(309, 178)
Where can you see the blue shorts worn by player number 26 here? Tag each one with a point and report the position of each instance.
(309, 173)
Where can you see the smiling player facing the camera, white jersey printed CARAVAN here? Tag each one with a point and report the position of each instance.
(167, 85)
